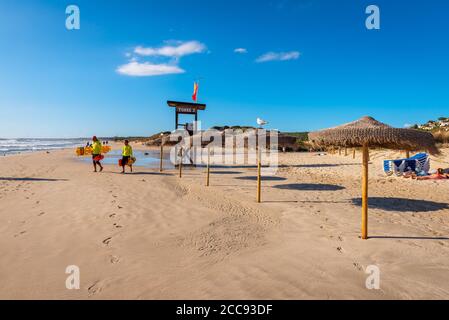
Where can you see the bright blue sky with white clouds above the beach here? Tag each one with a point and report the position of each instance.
(306, 64)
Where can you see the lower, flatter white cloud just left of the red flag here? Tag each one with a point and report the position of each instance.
(136, 69)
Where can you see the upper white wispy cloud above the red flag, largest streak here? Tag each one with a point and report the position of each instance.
(176, 51)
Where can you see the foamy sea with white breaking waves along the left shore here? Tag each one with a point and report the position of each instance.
(15, 146)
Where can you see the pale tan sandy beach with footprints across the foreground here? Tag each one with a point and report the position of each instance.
(154, 236)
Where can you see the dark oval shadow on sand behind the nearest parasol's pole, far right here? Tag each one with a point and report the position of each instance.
(402, 205)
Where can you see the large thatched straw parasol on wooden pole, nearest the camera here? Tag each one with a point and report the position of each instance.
(368, 132)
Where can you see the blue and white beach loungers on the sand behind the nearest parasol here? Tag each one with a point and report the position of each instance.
(417, 163)
